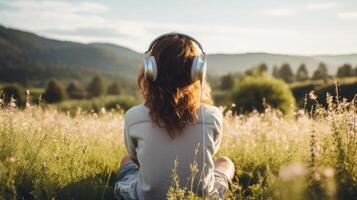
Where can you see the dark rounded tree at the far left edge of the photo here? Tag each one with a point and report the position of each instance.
(14, 91)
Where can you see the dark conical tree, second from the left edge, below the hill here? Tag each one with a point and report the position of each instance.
(54, 92)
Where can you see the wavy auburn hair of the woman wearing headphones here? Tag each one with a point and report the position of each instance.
(173, 99)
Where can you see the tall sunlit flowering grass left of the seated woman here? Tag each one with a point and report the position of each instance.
(47, 154)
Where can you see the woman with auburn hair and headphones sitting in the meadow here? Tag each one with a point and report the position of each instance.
(176, 124)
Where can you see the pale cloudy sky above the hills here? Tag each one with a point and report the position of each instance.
(303, 27)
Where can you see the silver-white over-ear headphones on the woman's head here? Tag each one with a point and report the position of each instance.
(198, 67)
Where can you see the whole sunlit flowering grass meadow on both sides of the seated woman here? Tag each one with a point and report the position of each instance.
(311, 154)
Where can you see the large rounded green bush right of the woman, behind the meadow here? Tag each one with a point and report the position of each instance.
(253, 92)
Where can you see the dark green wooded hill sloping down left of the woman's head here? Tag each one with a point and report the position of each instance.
(26, 57)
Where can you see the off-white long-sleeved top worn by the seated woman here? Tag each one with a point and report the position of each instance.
(155, 152)
